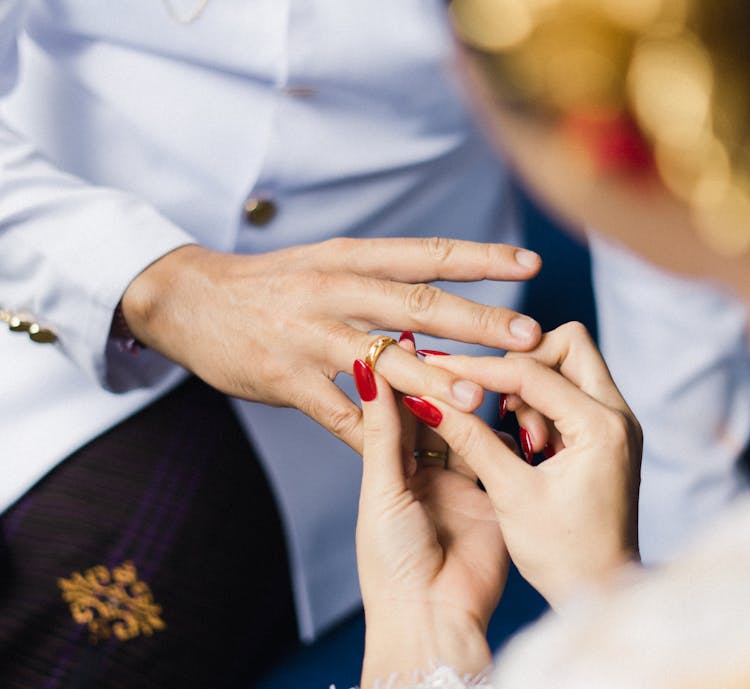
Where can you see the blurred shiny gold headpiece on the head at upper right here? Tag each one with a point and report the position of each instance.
(677, 70)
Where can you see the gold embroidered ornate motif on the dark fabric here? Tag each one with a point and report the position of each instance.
(112, 602)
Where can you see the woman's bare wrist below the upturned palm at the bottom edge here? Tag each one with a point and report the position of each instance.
(404, 642)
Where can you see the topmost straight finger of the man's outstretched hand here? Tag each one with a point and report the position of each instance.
(426, 259)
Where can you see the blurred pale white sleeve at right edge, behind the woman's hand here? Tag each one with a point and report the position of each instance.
(678, 351)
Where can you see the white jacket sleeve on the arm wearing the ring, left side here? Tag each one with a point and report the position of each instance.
(69, 249)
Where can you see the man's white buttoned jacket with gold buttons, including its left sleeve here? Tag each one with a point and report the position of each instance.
(126, 134)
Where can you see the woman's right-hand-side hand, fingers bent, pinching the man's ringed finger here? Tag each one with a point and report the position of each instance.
(571, 520)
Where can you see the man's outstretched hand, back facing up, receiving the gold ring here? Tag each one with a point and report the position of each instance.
(278, 327)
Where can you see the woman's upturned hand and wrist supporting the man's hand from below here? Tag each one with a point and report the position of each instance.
(432, 562)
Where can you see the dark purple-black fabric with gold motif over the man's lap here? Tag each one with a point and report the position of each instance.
(152, 557)
